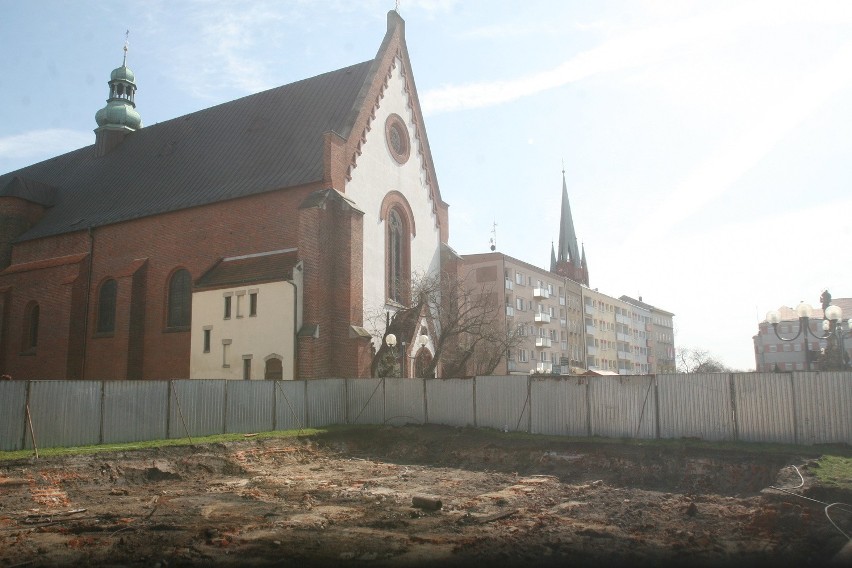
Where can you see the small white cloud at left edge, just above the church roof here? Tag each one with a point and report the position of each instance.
(35, 145)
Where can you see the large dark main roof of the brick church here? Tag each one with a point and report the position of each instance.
(255, 144)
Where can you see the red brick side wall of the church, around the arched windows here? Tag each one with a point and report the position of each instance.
(193, 239)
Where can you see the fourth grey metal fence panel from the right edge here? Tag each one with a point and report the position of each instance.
(623, 406)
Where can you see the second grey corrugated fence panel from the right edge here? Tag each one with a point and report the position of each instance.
(765, 409)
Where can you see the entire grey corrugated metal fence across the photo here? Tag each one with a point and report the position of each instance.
(798, 408)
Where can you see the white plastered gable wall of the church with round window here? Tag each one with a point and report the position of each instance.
(376, 174)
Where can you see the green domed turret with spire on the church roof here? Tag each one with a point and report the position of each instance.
(119, 117)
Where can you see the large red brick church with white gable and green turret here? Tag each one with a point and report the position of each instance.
(248, 240)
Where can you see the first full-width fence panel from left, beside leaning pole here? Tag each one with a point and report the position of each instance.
(65, 413)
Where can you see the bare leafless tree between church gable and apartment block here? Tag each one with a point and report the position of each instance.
(470, 334)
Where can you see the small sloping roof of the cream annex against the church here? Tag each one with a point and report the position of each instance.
(250, 269)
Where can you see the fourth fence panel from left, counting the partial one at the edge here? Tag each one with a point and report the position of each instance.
(196, 407)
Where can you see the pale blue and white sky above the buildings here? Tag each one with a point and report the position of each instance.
(706, 146)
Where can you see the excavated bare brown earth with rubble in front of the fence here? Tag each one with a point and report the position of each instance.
(420, 495)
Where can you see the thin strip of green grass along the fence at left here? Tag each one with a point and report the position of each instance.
(151, 444)
